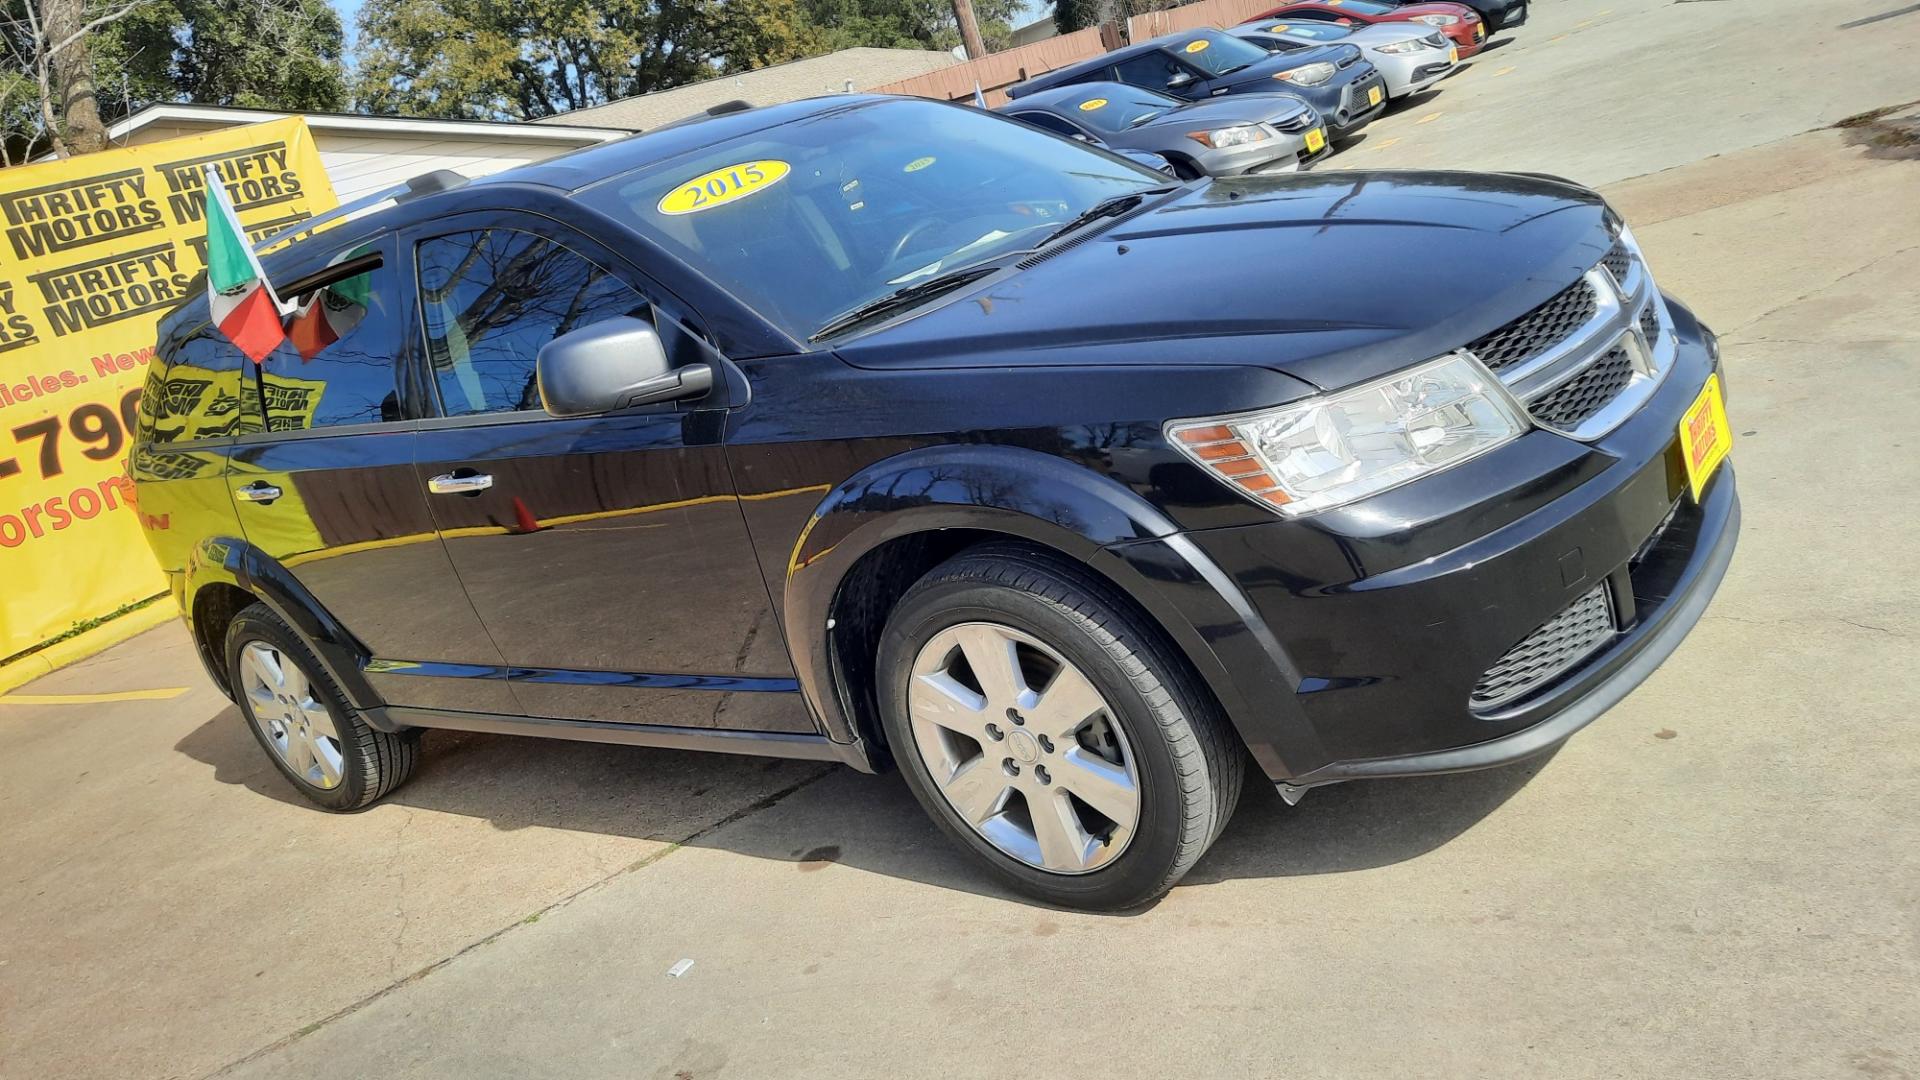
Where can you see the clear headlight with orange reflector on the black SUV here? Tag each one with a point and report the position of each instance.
(1351, 445)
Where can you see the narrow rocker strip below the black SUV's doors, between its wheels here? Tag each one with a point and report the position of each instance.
(711, 741)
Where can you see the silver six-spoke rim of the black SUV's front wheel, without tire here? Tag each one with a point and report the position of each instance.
(1024, 749)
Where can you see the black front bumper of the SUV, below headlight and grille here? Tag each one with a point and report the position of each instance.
(1355, 641)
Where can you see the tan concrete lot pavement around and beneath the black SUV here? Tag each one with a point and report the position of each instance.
(1717, 879)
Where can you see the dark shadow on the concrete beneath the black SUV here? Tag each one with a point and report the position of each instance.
(811, 814)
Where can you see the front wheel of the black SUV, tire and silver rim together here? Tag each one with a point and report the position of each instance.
(1051, 731)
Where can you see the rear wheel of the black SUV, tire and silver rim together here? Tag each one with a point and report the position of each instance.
(302, 720)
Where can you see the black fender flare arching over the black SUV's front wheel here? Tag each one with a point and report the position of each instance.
(1019, 493)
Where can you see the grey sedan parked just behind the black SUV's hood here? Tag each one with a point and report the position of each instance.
(1224, 137)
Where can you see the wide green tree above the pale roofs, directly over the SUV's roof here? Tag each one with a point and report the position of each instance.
(537, 59)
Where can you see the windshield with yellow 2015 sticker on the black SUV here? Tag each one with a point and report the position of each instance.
(815, 218)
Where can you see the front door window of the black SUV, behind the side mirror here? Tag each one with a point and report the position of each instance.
(491, 299)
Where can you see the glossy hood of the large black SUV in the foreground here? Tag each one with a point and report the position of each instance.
(1330, 278)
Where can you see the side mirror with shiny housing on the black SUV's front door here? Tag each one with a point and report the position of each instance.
(613, 366)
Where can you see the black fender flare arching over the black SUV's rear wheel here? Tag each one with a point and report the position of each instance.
(229, 560)
